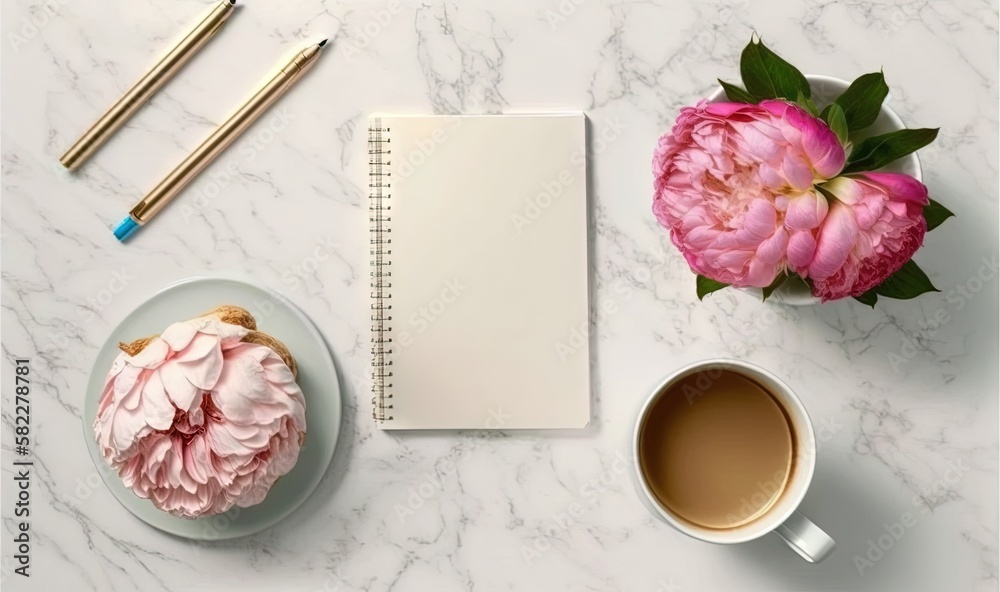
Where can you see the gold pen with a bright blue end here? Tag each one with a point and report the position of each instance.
(220, 139)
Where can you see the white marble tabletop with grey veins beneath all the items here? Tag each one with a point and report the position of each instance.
(889, 431)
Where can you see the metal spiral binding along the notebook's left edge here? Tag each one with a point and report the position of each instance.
(379, 217)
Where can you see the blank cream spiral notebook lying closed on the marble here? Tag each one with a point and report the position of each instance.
(479, 271)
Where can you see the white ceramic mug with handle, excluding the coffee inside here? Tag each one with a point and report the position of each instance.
(807, 539)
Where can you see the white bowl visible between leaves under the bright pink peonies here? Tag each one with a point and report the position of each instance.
(824, 90)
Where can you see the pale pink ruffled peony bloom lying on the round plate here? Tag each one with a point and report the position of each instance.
(198, 421)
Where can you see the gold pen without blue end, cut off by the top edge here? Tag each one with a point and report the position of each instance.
(130, 102)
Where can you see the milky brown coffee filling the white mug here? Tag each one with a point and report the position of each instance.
(717, 449)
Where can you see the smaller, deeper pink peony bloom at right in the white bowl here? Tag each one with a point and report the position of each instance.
(874, 226)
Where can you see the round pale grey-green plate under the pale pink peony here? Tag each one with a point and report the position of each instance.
(317, 378)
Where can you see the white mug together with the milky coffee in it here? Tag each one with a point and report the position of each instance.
(724, 452)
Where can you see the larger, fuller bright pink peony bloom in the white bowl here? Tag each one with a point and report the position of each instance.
(734, 184)
